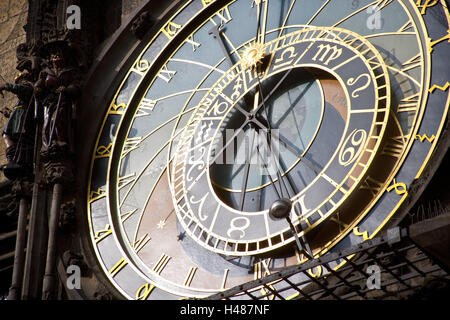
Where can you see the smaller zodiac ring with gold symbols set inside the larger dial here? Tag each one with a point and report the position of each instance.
(327, 170)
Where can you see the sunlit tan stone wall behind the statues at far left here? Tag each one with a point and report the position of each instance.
(13, 16)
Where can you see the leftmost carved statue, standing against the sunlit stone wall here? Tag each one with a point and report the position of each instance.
(19, 131)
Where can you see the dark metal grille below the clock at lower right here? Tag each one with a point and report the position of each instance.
(401, 264)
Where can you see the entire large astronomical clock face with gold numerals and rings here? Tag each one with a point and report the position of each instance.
(334, 107)
